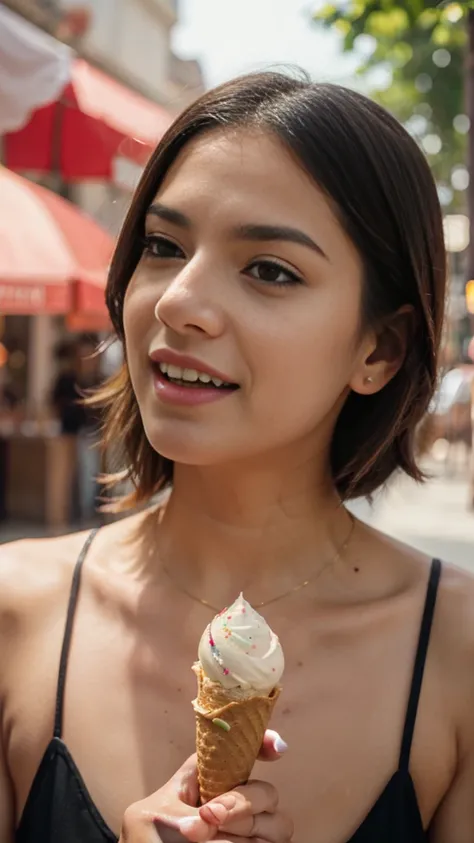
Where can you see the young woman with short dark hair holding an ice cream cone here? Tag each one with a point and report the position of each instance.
(278, 287)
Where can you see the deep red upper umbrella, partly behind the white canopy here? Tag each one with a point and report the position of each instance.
(95, 120)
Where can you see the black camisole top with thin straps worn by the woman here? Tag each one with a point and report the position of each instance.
(59, 808)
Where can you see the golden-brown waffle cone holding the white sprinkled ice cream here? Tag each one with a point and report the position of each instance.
(225, 758)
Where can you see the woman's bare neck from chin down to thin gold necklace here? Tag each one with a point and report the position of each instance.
(262, 530)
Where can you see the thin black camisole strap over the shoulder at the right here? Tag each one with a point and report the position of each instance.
(419, 665)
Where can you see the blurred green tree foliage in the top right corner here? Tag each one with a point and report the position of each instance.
(422, 44)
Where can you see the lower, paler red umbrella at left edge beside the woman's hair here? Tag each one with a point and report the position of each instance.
(53, 257)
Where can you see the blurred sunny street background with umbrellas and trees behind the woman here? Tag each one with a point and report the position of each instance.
(86, 92)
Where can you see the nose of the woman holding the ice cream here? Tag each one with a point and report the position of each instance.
(190, 303)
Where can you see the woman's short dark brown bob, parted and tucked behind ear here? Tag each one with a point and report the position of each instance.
(382, 190)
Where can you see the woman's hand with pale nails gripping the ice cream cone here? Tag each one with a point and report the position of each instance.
(172, 816)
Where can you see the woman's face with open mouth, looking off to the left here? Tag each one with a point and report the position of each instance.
(247, 271)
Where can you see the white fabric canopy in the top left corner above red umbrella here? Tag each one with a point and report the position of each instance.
(34, 69)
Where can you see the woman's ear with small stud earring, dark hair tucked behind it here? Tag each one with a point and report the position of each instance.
(383, 352)
